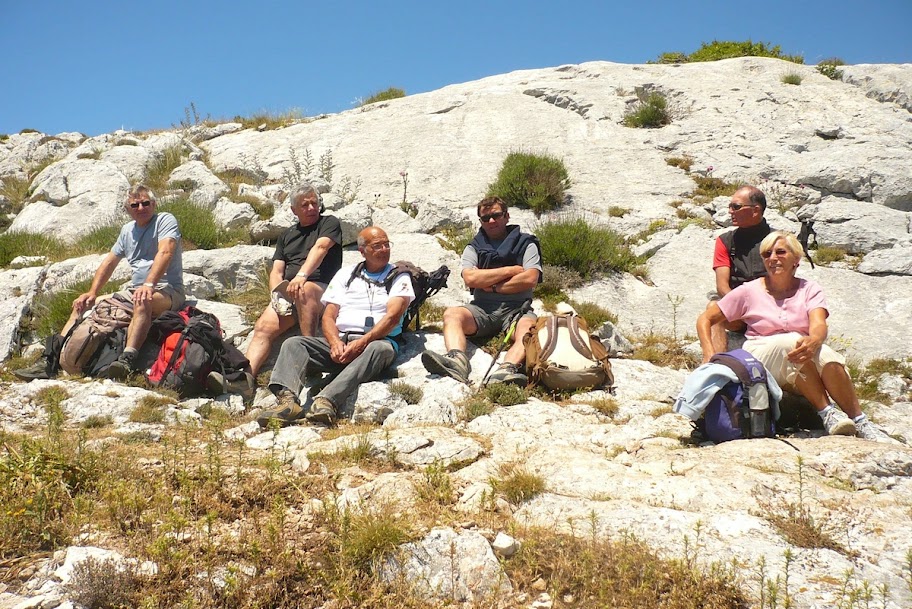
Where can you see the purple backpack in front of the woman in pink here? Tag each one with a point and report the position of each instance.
(740, 409)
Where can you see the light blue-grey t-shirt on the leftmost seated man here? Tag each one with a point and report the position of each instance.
(139, 245)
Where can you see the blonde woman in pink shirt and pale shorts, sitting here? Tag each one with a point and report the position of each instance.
(786, 330)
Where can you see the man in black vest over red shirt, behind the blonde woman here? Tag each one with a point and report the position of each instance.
(736, 259)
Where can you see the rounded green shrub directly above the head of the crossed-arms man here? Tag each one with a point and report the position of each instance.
(532, 181)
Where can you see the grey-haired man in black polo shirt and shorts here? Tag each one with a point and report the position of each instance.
(307, 256)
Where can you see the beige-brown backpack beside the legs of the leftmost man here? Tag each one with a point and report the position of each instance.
(89, 335)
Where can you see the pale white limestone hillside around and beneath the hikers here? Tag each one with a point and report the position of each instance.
(835, 152)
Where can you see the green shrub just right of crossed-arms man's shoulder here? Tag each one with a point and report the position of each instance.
(589, 250)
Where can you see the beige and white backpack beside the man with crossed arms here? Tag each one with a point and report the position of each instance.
(561, 354)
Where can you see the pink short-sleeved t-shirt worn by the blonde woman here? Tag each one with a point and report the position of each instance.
(765, 316)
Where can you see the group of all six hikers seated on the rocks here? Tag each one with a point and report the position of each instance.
(350, 319)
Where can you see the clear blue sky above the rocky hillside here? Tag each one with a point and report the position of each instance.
(95, 66)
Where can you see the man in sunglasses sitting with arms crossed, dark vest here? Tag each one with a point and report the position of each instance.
(500, 267)
